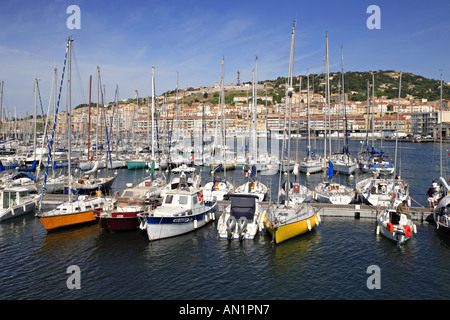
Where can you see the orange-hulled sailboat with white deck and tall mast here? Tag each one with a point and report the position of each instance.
(72, 212)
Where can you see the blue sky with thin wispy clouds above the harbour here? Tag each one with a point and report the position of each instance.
(125, 39)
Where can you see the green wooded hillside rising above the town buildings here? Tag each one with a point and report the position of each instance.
(386, 85)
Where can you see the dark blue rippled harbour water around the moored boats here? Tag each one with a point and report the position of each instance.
(331, 262)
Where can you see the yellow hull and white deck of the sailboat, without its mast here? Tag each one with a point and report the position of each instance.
(285, 222)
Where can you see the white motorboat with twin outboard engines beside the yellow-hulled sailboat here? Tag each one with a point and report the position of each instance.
(242, 219)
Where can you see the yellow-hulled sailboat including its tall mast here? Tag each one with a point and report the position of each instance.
(287, 220)
